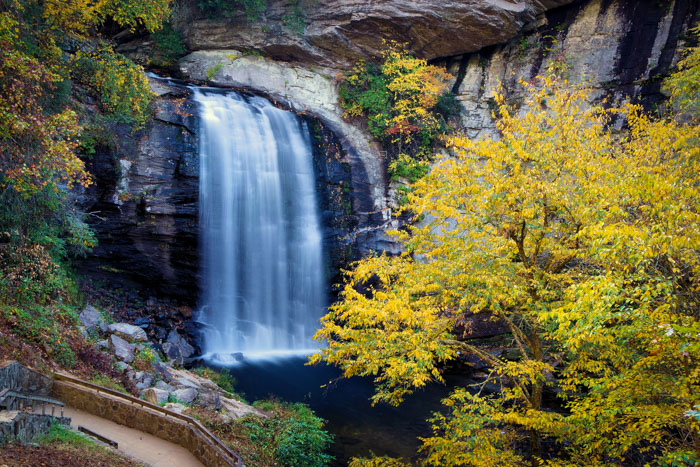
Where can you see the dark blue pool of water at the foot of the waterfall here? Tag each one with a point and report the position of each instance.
(358, 428)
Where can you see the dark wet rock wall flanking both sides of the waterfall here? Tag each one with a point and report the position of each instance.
(145, 203)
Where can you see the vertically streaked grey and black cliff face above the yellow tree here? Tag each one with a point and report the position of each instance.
(621, 49)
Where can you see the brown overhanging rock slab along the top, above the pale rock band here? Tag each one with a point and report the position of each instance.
(337, 33)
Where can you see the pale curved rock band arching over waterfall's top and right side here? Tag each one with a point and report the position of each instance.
(314, 93)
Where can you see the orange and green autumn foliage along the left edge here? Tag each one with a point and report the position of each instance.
(40, 164)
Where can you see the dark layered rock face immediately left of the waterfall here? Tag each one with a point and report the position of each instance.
(144, 202)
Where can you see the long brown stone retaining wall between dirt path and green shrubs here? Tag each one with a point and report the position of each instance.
(143, 419)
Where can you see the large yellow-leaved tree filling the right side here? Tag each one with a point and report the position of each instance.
(585, 242)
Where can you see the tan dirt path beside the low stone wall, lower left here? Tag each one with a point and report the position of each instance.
(137, 444)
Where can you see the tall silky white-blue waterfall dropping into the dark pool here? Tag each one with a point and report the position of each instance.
(262, 269)
